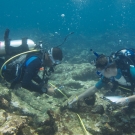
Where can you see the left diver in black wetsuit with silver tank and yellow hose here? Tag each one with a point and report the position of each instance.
(23, 68)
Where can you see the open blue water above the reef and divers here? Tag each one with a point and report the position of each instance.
(87, 18)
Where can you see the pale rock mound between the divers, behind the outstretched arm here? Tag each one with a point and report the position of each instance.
(74, 77)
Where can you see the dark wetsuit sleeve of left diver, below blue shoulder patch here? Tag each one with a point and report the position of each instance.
(29, 74)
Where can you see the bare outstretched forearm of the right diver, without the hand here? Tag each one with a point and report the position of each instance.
(89, 92)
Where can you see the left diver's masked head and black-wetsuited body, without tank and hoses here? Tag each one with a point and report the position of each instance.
(31, 67)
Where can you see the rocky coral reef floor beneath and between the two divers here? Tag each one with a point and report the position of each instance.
(25, 112)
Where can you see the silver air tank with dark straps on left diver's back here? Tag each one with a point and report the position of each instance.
(16, 46)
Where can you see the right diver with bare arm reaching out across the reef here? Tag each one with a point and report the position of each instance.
(119, 69)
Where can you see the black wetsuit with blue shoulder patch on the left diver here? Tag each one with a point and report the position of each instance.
(30, 74)
